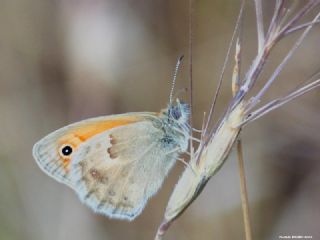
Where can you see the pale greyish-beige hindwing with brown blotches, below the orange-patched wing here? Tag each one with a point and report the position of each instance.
(117, 171)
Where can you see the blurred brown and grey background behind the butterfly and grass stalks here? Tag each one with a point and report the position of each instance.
(64, 61)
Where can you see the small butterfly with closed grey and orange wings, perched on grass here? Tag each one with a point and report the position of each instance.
(116, 163)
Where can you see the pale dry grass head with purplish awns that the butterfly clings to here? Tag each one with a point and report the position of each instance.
(217, 141)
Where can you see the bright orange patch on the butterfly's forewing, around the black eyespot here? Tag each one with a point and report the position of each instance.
(82, 133)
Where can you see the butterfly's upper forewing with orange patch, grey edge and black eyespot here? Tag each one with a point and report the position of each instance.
(47, 152)
